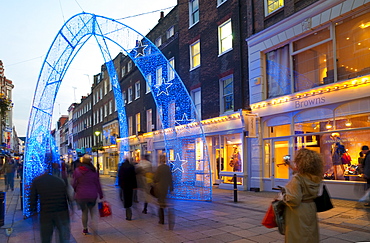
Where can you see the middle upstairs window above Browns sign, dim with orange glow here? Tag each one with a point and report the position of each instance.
(313, 61)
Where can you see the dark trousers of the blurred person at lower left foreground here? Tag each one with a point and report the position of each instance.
(59, 220)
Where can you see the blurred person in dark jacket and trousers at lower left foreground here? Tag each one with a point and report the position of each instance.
(53, 196)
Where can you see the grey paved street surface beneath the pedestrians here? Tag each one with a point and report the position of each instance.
(221, 220)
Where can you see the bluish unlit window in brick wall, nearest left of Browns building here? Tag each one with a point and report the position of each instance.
(227, 94)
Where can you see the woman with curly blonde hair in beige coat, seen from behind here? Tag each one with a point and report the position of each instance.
(300, 213)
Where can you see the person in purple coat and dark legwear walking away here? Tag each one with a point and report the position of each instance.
(87, 187)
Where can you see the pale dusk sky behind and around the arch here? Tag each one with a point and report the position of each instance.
(28, 29)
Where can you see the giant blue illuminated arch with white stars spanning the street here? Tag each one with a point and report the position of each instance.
(181, 129)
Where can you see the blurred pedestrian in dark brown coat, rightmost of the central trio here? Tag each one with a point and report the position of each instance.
(162, 183)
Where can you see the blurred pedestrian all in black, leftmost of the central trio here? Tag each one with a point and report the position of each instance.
(127, 182)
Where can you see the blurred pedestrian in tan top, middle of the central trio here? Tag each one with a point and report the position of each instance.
(144, 175)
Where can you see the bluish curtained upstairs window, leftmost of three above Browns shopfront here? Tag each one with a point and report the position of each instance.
(278, 72)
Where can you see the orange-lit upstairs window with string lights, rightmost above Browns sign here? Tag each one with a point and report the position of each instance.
(353, 46)
